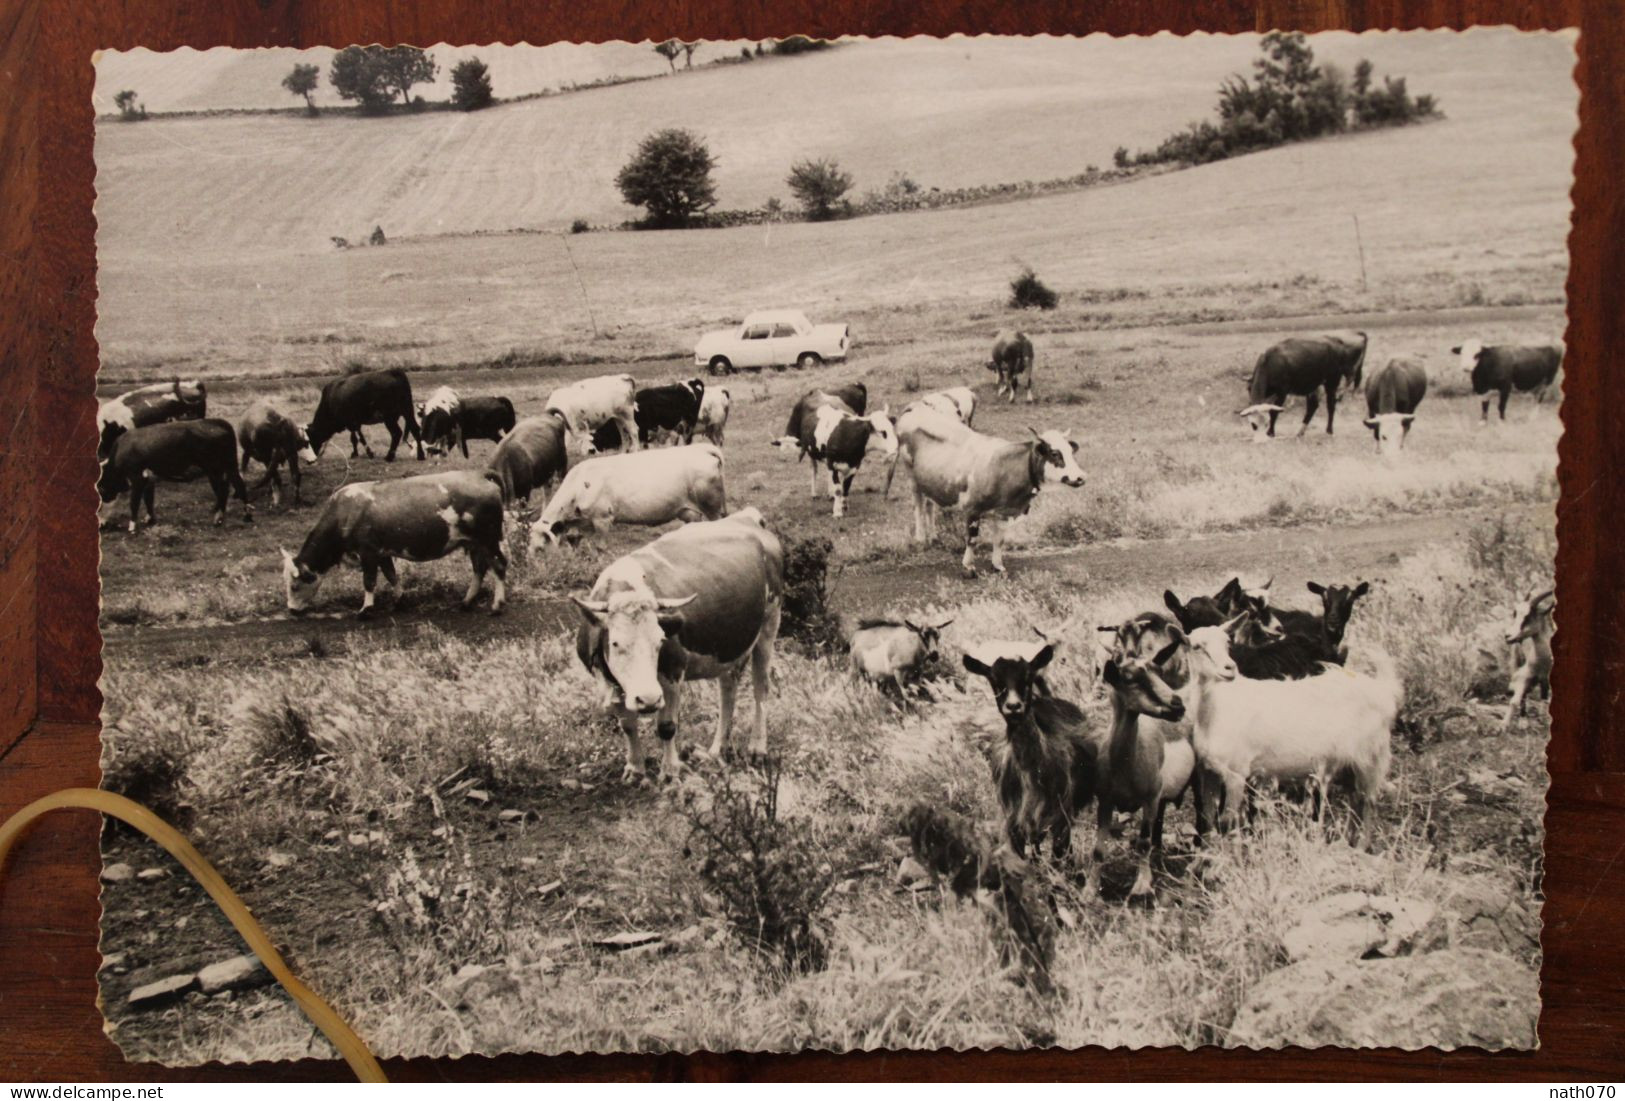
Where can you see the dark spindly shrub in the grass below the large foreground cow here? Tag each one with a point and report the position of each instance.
(766, 870)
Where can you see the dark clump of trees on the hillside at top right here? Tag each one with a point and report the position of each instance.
(1289, 100)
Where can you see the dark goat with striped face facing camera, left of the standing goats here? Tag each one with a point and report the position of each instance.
(1046, 769)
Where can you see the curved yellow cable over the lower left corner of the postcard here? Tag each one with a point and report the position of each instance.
(321, 1014)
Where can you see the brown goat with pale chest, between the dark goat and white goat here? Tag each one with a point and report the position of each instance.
(1143, 769)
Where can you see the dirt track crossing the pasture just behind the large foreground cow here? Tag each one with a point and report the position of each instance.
(1291, 555)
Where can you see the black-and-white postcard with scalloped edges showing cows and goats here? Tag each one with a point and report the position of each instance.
(930, 543)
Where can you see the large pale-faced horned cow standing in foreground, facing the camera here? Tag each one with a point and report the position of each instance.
(700, 603)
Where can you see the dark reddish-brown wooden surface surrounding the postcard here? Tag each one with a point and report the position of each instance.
(50, 649)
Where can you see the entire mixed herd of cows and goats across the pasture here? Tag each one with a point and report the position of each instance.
(1207, 694)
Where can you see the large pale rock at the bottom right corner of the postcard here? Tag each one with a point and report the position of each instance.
(1460, 998)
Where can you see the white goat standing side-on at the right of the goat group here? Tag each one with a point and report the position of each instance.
(1291, 730)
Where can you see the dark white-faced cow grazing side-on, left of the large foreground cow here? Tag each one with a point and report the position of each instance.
(418, 519)
